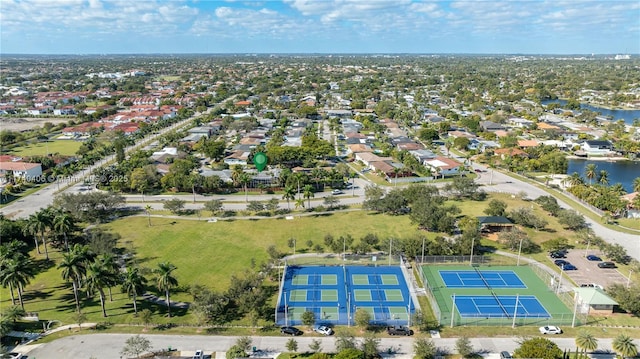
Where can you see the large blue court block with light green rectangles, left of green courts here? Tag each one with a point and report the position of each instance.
(335, 293)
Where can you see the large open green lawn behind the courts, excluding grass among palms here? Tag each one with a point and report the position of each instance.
(209, 253)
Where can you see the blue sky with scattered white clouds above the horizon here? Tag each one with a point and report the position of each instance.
(319, 26)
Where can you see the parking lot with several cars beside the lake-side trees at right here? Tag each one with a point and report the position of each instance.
(588, 271)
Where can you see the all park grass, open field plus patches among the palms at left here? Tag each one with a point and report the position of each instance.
(204, 253)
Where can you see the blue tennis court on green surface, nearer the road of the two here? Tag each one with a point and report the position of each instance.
(503, 306)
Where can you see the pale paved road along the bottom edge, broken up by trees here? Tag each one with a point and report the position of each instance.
(108, 346)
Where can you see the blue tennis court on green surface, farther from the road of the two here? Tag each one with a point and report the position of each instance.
(481, 279)
